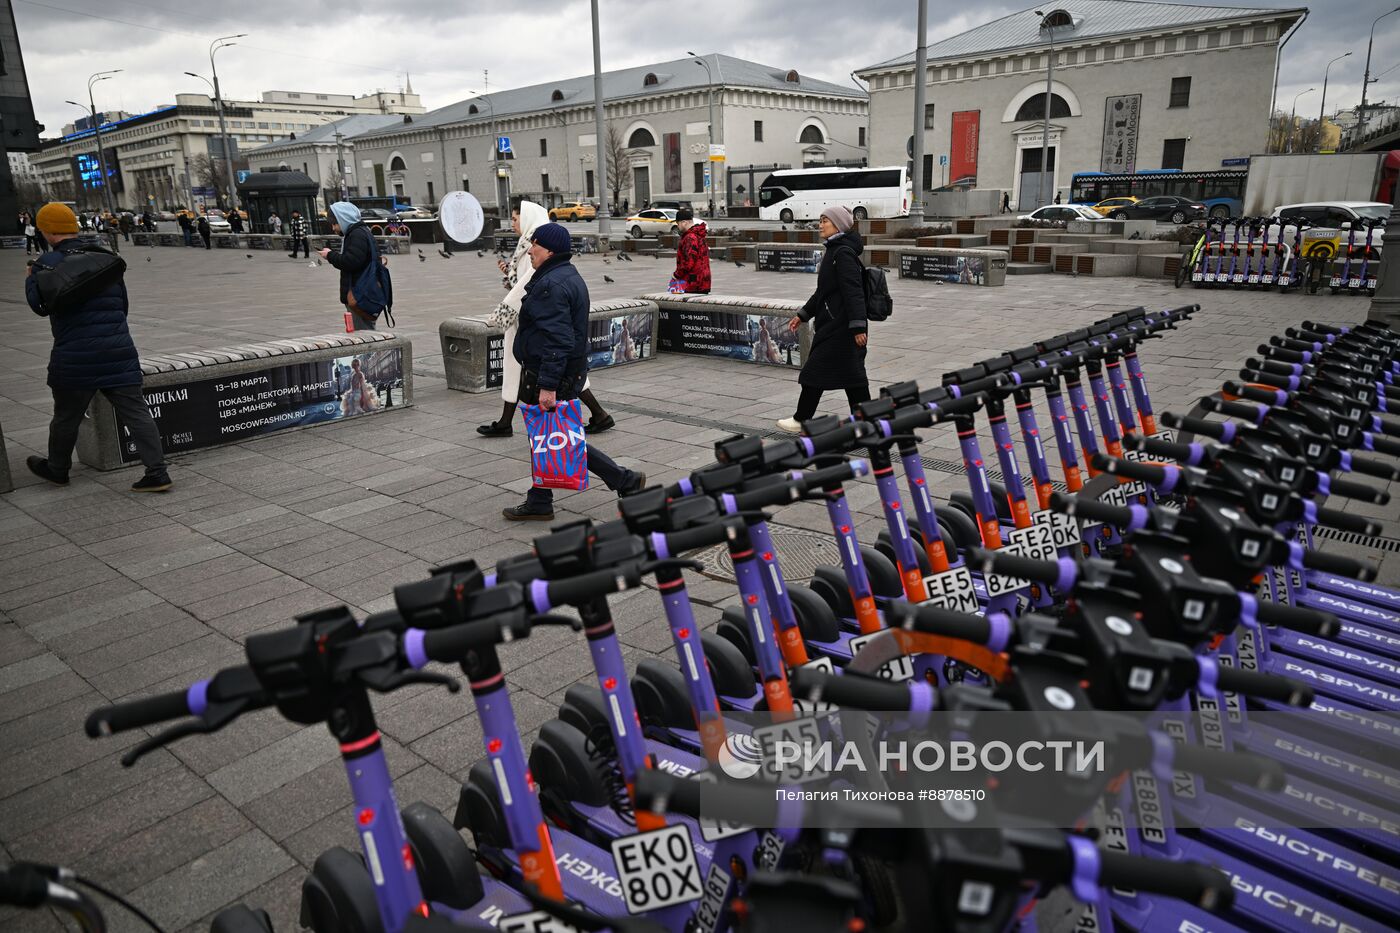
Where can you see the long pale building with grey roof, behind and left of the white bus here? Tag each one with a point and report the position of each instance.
(764, 117)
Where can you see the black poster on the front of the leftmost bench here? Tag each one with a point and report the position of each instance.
(236, 407)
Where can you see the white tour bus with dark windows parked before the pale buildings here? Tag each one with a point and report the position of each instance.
(803, 194)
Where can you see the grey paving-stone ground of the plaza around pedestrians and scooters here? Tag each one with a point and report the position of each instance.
(108, 596)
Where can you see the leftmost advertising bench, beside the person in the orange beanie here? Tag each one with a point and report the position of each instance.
(205, 399)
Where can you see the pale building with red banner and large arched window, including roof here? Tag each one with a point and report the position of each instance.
(1136, 86)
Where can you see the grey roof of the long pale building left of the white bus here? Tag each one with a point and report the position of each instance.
(625, 83)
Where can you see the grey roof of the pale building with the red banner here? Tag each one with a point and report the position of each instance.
(1093, 20)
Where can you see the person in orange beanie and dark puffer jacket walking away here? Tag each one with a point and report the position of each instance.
(79, 288)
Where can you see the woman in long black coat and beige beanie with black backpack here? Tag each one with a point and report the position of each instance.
(838, 316)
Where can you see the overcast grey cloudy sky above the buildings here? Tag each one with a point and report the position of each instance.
(356, 47)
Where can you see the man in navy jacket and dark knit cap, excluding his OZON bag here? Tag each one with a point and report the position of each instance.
(552, 348)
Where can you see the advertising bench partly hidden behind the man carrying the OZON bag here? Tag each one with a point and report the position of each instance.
(621, 331)
